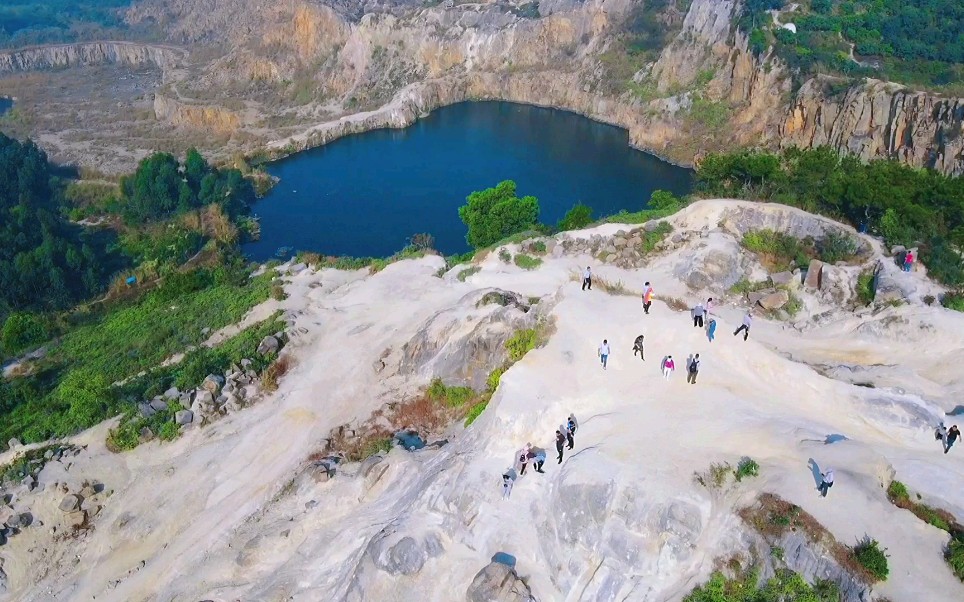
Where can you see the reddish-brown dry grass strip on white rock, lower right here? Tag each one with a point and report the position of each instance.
(773, 516)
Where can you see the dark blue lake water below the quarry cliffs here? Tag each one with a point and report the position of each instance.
(364, 195)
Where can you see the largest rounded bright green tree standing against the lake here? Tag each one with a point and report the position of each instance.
(495, 213)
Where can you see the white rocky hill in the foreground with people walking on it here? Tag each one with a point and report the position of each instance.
(237, 511)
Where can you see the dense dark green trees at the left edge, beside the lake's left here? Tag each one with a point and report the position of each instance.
(45, 262)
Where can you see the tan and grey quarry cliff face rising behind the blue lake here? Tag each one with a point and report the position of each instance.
(297, 73)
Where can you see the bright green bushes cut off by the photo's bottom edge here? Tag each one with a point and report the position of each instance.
(785, 586)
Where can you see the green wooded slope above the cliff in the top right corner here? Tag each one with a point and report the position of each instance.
(910, 41)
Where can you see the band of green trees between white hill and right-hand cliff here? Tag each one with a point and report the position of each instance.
(907, 206)
